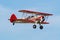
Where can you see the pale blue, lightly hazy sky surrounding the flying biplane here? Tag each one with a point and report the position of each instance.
(25, 31)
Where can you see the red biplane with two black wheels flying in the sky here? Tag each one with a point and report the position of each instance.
(37, 18)
